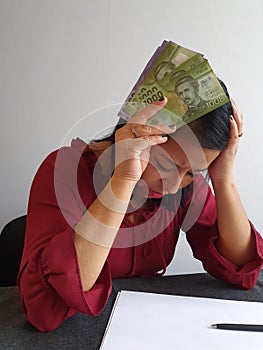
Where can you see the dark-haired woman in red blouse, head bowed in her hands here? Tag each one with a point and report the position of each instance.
(90, 219)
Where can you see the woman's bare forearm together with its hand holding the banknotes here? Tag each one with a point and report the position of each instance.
(96, 230)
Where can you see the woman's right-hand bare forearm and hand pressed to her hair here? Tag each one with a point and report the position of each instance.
(235, 242)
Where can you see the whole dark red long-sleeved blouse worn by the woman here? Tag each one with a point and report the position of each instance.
(49, 280)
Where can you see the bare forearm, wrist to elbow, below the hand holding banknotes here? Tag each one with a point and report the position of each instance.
(95, 232)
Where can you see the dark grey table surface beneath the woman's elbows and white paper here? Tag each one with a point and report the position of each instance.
(86, 332)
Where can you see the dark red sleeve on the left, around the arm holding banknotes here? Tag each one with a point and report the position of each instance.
(49, 280)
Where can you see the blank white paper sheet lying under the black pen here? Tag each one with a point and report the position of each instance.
(147, 321)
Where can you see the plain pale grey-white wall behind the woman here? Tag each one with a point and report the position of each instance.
(61, 60)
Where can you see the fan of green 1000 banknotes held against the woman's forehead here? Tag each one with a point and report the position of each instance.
(187, 80)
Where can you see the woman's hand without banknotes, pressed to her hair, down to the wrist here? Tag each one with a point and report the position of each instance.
(221, 168)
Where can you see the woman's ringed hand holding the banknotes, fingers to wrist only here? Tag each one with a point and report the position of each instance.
(134, 140)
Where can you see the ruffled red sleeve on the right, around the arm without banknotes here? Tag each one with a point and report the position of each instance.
(202, 236)
